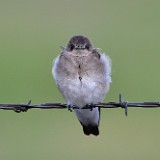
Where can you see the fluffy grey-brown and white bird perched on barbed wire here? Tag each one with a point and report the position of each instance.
(83, 76)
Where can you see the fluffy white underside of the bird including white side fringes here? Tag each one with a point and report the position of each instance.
(90, 89)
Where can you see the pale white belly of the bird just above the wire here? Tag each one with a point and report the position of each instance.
(86, 91)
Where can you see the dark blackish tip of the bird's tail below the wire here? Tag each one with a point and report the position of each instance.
(90, 129)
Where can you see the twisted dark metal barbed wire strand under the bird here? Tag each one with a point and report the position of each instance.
(121, 104)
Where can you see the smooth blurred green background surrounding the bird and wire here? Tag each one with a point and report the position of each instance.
(30, 35)
